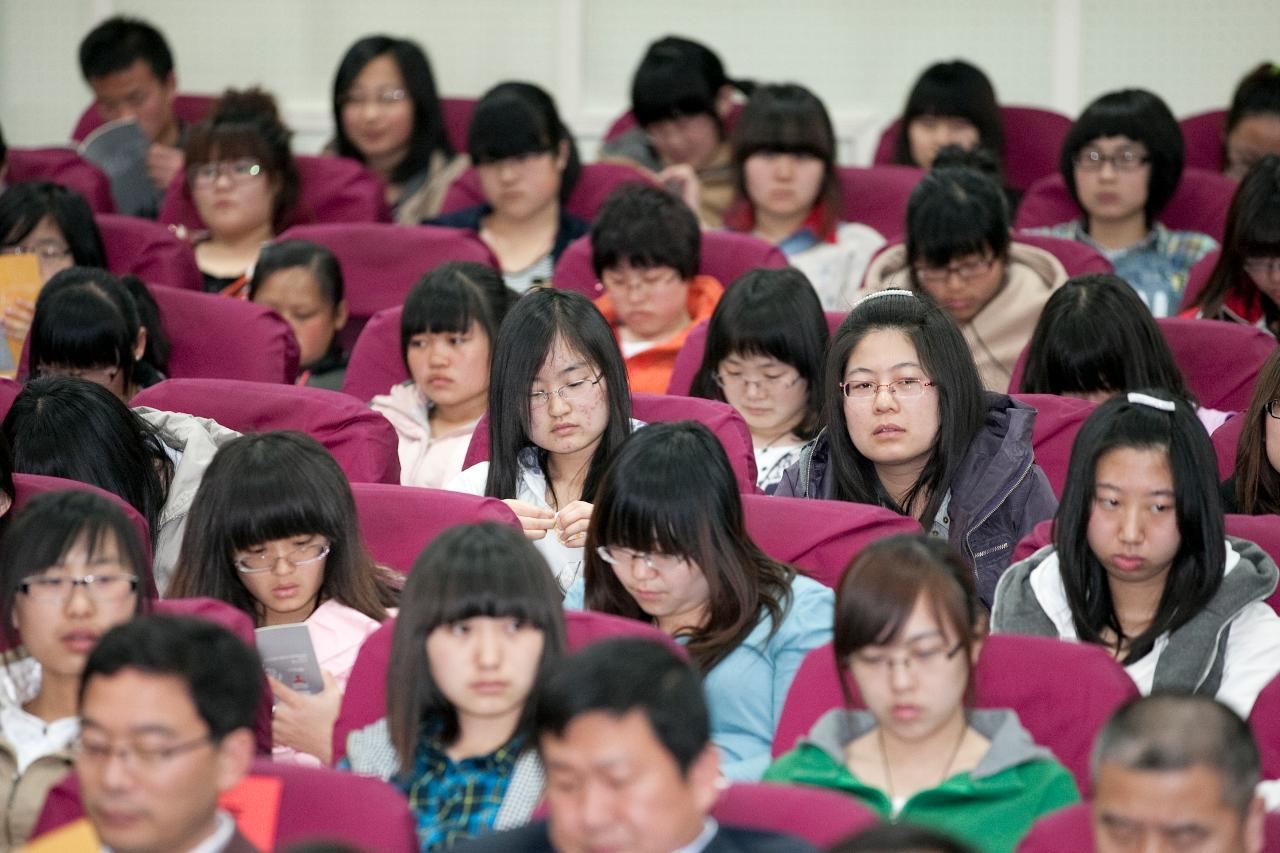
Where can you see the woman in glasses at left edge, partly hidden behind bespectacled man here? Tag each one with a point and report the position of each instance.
(71, 568)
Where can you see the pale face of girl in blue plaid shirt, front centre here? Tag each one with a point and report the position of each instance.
(486, 667)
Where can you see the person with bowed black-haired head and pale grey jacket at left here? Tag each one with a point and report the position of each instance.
(153, 460)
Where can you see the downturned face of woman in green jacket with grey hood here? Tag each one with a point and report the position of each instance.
(915, 686)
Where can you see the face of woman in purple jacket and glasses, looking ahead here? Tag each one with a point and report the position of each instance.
(892, 431)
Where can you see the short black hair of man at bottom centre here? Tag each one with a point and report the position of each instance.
(623, 676)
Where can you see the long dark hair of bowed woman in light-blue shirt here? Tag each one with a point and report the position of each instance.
(671, 491)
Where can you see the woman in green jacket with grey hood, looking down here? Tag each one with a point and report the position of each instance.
(909, 628)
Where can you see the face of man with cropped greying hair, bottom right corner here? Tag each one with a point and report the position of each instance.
(1177, 811)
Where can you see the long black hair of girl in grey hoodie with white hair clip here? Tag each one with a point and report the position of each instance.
(1197, 569)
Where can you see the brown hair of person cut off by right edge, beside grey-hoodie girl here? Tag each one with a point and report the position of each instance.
(1255, 487)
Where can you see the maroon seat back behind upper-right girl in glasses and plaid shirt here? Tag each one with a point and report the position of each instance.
(1199, 204)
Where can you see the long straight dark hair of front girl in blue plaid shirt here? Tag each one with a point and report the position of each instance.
(469, 571)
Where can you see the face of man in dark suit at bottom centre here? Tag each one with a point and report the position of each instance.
(612, 786)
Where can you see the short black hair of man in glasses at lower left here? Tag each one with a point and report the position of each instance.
(223, 676)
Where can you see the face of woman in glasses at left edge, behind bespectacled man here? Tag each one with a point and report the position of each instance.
(61, 628)
